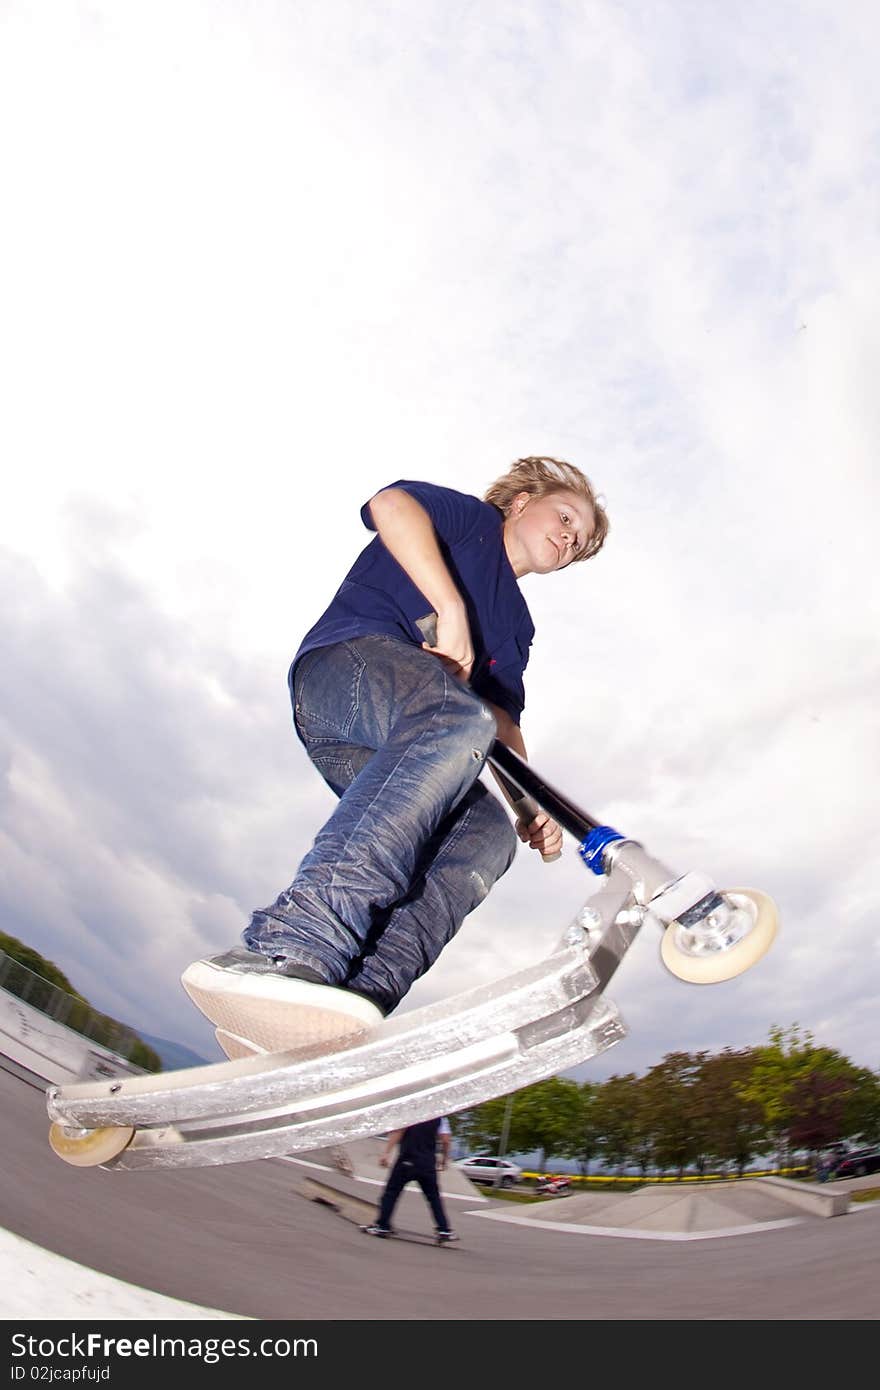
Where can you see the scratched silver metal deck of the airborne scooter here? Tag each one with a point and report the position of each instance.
(439, 1060)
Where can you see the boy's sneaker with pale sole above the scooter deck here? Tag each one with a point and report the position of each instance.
(258, 1000)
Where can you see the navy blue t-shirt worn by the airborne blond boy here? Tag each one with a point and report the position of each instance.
(379, 597)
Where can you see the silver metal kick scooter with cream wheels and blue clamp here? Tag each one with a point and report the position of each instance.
(446, 1057)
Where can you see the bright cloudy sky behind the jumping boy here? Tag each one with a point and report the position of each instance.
(262, 259)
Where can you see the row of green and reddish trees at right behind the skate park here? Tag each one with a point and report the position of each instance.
(690, 1110)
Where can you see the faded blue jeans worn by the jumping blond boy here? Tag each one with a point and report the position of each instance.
(416, 842)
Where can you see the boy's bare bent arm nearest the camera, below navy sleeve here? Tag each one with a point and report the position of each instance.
(408, 534)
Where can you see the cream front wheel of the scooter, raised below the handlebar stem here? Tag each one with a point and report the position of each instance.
(726, 943)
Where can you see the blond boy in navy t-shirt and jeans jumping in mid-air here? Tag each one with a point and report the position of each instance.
(401, 730)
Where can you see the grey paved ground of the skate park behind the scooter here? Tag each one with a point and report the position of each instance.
(243, 1241)
